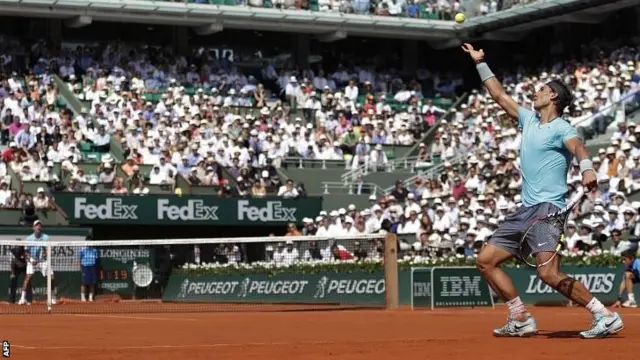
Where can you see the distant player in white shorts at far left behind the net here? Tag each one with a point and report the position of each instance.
(37, 261)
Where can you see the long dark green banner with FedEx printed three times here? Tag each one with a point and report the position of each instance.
(185, 210)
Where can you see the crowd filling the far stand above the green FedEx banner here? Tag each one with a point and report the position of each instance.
(174, 118)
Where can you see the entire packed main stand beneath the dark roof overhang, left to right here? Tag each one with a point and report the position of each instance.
(96, 127)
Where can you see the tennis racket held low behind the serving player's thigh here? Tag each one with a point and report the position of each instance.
(551, 227)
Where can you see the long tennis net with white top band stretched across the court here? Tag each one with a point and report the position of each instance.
(195, 275)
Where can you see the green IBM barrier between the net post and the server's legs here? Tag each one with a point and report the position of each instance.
(449, 287)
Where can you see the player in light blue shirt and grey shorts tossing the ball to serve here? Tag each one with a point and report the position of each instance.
(547, 147)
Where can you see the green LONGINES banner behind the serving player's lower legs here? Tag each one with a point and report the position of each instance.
(603, 282)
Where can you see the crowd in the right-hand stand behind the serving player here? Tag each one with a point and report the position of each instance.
(455, 211)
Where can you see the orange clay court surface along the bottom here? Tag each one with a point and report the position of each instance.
(338, 334)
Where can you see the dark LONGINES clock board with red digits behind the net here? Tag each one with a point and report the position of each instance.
(115, 266)
